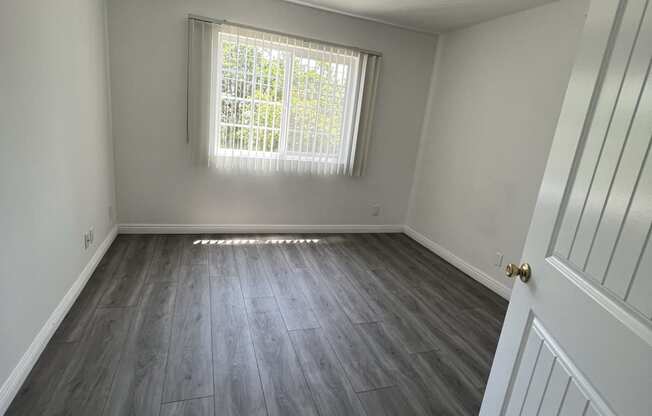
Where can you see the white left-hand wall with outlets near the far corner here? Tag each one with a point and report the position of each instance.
(56, 158)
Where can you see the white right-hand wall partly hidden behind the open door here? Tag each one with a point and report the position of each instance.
(496, 96)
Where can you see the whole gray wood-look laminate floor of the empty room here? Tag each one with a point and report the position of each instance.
(370, 324)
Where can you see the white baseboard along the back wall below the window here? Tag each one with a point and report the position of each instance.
(254, 228)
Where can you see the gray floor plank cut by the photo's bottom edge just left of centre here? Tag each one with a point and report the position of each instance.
(286, 391)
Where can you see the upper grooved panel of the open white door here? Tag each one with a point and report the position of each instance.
(606, 220)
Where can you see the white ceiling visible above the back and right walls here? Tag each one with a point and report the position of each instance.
(431, 16)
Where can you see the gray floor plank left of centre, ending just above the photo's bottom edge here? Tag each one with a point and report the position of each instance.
(189, 371)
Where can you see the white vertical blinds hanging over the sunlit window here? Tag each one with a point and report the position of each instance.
(262, 102)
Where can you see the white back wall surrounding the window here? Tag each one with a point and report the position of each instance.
(155, 180)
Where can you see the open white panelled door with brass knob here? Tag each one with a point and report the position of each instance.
(577, 338)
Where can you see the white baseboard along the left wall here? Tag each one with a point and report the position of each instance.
(15, 380)
